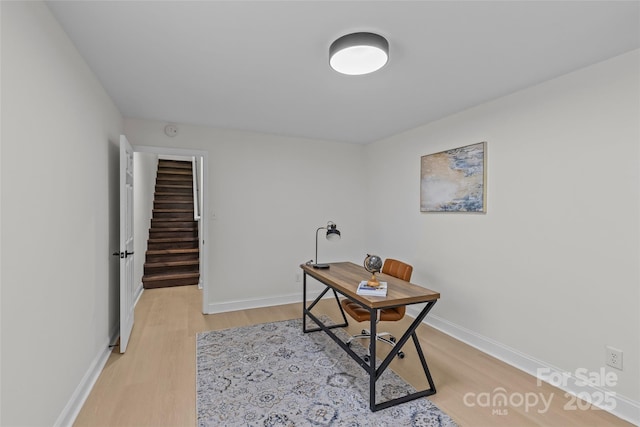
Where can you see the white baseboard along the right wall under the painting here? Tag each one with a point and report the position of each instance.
(604, 398)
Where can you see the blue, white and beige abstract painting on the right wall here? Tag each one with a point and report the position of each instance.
(454, 180)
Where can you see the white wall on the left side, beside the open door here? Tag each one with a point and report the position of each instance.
(59, 218)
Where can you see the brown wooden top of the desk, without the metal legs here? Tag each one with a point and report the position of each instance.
(345, 277)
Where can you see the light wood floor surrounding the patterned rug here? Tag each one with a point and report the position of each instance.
(153, 383)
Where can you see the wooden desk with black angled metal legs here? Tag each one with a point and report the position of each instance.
(343, 278)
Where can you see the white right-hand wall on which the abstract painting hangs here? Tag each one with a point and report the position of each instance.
(551, 270)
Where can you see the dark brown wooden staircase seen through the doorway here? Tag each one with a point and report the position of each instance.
(172, 257)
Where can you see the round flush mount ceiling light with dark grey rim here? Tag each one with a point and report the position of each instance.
(358, 53)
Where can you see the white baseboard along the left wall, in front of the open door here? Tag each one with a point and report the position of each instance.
(79, 396)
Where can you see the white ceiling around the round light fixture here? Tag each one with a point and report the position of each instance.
(263, 65)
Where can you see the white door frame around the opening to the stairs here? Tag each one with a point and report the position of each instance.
(204, 226)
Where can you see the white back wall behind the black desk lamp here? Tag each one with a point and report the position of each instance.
(267, 195)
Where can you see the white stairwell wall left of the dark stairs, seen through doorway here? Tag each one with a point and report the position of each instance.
(145, 167)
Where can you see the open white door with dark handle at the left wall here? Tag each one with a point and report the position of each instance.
(126, 242)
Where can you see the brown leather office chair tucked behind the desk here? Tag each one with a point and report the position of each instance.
(393, 268)
